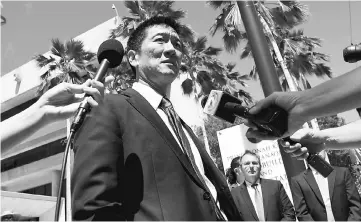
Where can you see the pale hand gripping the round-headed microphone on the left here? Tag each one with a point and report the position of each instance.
(62, 101)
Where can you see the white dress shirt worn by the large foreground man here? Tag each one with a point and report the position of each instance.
(154, 100)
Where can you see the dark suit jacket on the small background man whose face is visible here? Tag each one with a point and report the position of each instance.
(277, 205)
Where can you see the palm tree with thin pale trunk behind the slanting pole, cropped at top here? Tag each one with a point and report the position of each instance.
(286, 15)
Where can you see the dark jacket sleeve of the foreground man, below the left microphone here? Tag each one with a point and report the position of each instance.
(95, 179)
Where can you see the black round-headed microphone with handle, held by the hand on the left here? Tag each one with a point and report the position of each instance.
(110, 55)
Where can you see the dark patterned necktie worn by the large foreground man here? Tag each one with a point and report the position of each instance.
(176, 124)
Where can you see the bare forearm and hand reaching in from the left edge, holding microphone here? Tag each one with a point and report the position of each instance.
(58, 103)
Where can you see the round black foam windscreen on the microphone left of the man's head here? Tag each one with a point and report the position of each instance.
(112, 50)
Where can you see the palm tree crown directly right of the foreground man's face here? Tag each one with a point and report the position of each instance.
(203, 67)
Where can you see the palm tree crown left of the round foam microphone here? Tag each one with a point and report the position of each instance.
(66, 63)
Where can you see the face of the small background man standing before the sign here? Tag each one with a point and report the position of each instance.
(250, 167)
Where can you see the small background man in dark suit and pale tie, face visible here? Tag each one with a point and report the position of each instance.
(259, 199)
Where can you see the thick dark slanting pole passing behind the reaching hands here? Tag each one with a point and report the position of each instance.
(266, 70)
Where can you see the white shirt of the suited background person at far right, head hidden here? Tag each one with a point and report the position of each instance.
(322, 184)
